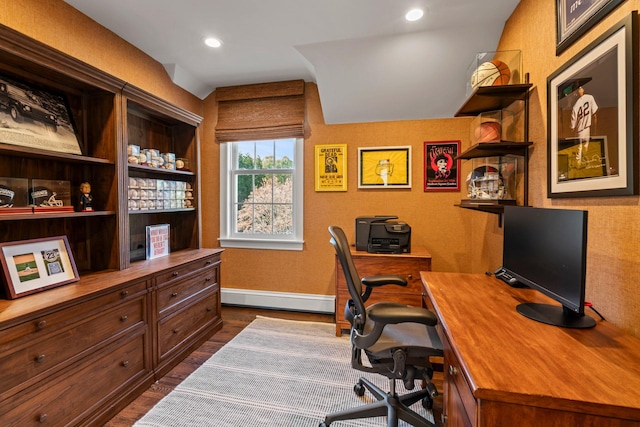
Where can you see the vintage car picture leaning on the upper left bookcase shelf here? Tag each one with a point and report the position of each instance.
(36, 118)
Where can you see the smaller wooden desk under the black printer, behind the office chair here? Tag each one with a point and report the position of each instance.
(405, 265)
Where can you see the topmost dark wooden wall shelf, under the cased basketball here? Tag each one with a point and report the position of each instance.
(488, 98)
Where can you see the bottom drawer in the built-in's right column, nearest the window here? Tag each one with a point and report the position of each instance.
(177, 327)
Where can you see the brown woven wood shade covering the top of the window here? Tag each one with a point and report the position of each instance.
(261, 111)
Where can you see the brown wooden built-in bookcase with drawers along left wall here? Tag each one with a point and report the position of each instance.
(77, 354)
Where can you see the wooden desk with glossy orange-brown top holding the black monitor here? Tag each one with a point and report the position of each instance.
(503, 369)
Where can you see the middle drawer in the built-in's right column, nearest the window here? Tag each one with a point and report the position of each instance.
(172, 294)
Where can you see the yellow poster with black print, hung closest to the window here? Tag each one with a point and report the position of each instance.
(331, 167)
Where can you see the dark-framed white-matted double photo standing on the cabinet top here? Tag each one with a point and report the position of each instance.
(31, 266)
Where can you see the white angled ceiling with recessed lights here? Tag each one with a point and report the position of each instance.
(368, 62)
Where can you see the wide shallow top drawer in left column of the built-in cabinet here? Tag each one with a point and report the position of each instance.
(19, 335)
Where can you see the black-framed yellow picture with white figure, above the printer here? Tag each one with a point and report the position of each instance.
(384, 167)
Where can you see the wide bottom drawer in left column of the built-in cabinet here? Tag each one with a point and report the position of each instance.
(75, 393)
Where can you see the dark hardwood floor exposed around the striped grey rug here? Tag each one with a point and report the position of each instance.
(235, 319)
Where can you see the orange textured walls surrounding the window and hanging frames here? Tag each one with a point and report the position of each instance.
(459, 240)
